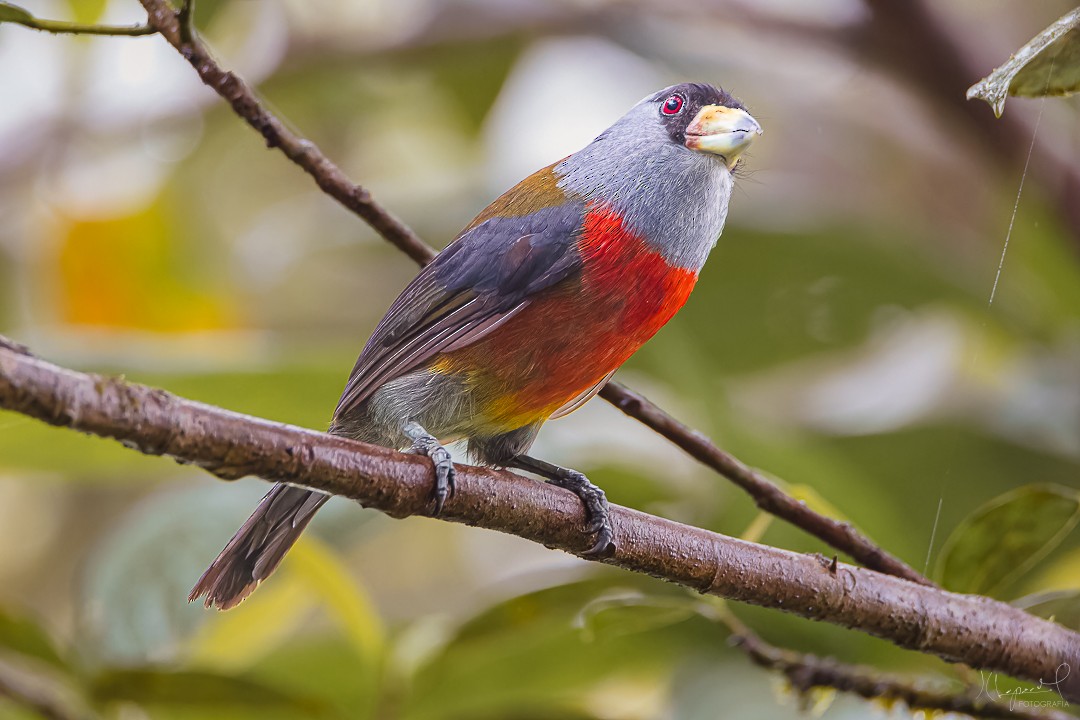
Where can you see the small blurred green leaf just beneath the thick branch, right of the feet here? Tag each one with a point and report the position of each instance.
(629, 613)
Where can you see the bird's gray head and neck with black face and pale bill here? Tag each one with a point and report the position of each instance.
(666, 168)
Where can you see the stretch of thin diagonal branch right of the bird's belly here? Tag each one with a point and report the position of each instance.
(768, 497)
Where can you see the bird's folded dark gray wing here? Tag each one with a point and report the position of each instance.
(477, 283)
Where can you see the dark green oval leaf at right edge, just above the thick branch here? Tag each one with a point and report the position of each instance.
(1006, 538)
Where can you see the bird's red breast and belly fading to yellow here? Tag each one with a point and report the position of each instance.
(575, 334)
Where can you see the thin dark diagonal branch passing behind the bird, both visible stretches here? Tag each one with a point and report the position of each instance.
(329, 178)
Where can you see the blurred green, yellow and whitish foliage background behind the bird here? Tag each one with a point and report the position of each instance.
(840, 339)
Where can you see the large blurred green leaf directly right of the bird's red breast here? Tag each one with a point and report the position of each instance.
(826, 291)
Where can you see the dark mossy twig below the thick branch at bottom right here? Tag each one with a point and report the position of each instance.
(806, 672)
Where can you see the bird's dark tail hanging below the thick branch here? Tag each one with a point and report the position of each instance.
(259, 547)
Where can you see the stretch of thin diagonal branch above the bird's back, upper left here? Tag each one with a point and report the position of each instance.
(304, 153)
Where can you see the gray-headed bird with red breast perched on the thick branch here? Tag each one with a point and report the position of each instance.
(528, 314)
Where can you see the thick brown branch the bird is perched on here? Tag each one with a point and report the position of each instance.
(980, 632)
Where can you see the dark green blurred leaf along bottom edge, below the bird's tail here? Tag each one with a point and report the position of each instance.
(153, 687)
